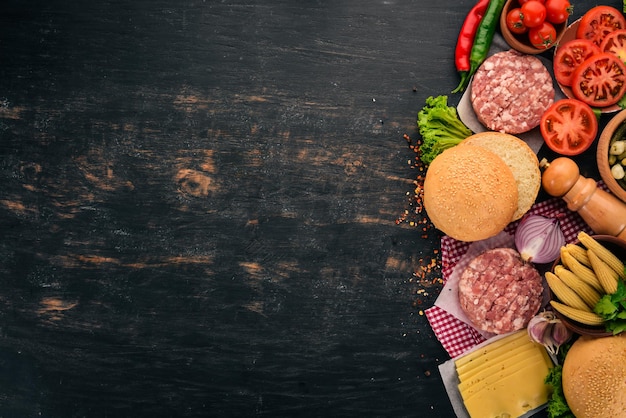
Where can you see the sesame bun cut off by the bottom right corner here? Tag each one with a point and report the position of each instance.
(594, 377)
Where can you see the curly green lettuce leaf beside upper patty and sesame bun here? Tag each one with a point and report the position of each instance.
(440, 128)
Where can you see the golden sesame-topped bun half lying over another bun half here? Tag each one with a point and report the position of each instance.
(470, 193)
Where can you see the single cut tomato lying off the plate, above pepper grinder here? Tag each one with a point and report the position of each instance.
(569, 127)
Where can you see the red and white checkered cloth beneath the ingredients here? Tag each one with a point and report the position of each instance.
(455, 335)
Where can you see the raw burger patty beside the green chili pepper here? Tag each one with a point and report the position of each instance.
(510, 91)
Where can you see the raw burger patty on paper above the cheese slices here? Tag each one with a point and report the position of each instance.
(499, 292)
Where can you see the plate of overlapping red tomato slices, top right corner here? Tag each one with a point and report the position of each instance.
(589, 63)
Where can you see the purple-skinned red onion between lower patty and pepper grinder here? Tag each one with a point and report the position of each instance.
(539, 239)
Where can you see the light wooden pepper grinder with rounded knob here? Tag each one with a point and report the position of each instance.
(602, 211)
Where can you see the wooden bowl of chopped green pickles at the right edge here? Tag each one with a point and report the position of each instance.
(611, 155)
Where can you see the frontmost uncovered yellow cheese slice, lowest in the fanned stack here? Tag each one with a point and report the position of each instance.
(513, 395)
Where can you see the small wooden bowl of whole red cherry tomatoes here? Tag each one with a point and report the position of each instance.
(534, 26)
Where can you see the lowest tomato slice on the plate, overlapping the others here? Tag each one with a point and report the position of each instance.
(600, 80)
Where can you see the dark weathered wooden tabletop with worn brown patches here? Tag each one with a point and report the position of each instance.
(199, 204)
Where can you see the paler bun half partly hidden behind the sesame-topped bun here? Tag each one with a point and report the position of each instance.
(522, 161)
